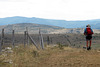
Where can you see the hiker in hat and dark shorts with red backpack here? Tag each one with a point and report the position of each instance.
(88, 33)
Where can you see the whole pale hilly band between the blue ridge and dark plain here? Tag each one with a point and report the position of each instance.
(45, 29)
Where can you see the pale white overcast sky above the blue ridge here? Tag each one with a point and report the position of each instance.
(51, 9)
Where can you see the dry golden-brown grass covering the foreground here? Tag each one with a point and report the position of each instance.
(51, 57)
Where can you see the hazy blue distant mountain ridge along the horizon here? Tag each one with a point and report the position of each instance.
(61, 23)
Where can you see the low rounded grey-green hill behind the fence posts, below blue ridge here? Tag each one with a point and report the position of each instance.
(32, 28)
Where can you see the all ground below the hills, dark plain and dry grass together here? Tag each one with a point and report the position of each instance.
(56, 54)
